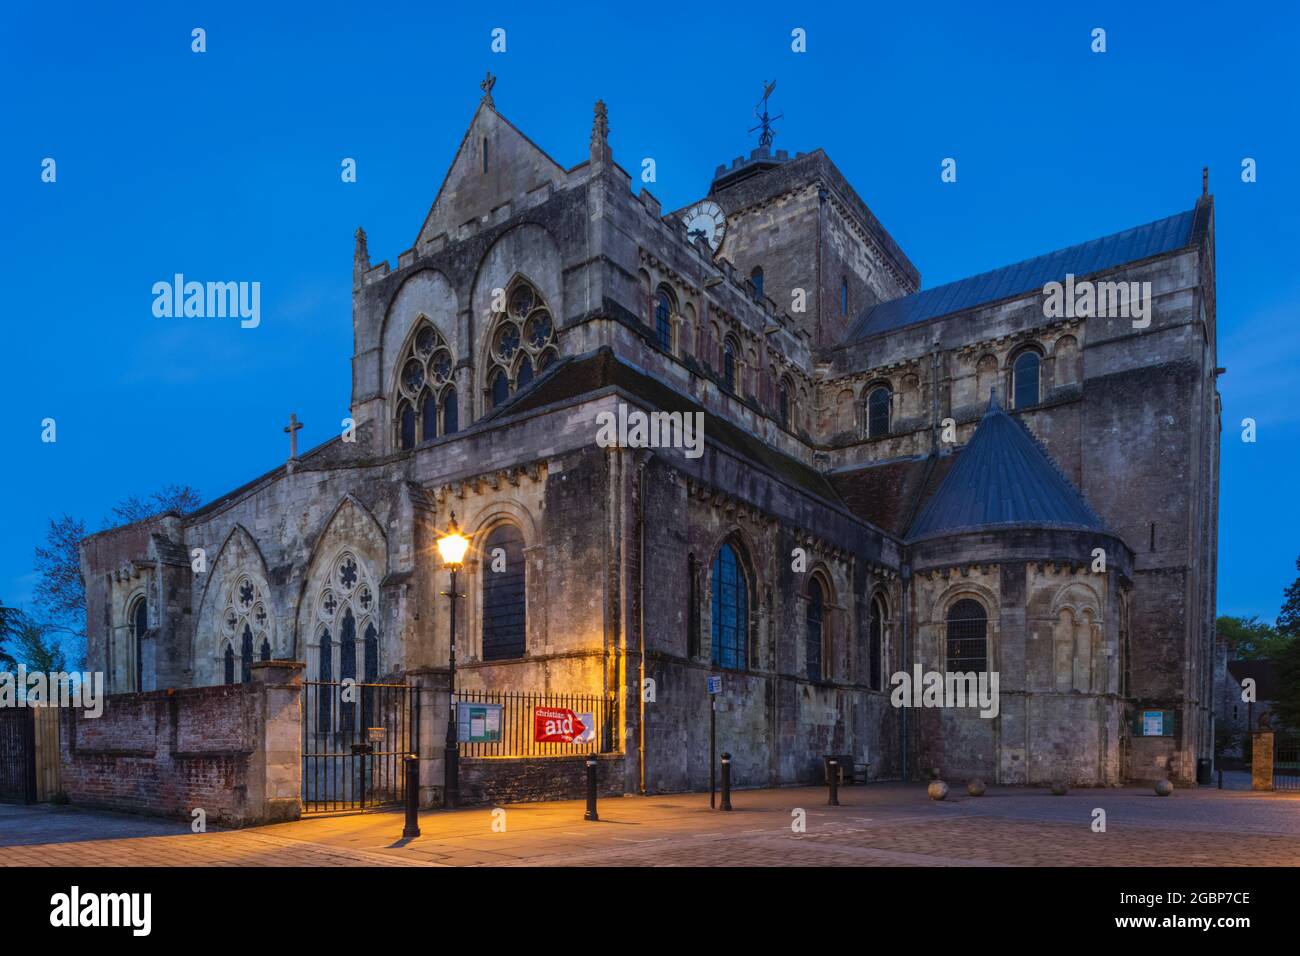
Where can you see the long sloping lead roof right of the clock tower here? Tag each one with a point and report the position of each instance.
(1095, 256)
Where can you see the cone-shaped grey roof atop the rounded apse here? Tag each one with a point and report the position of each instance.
(1004, 478)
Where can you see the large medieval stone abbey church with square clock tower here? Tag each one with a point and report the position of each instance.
(894, 481)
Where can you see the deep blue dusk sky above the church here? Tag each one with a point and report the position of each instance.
(226, 166)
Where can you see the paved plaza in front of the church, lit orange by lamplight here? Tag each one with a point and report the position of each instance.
(882, 825)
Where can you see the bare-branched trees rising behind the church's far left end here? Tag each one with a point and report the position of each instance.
(60, 591)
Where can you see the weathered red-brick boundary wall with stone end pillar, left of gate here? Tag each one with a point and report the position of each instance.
(232, 751)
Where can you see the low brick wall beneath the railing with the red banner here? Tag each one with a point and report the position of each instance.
(531, 780)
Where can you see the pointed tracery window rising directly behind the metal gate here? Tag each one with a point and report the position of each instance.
(346, 607)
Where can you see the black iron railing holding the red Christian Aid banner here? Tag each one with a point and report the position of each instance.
(517, 724)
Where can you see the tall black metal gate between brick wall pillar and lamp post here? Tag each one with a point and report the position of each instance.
(356, 738)
